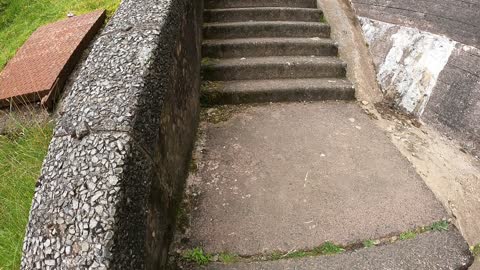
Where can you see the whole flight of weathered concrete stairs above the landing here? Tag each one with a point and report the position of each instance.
(265, 51)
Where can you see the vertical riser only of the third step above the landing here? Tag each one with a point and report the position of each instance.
(252, 50)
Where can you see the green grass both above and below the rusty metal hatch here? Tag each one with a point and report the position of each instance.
(22, 152)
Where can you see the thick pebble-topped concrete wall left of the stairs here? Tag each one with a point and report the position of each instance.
(115, 169)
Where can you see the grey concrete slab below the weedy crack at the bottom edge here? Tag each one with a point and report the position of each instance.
(445, 250)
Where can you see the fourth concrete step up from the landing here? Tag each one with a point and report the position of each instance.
(265, 29)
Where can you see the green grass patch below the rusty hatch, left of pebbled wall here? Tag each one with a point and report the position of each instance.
(23, 147)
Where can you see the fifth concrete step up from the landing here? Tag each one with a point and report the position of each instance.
(263, 14)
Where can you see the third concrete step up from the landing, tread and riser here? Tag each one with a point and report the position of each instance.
(248, 47)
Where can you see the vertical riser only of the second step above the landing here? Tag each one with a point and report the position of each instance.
(258, 72)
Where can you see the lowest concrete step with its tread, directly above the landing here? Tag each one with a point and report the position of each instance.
(261, 91)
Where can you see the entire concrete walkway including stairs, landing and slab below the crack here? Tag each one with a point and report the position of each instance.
(287, 178)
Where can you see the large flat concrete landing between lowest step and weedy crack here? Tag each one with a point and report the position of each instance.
(292, 176)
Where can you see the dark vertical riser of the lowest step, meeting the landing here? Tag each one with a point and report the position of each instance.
(212, 97)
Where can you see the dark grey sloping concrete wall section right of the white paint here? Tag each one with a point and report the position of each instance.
(454, 106)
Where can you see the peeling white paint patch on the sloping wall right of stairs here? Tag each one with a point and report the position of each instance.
(411, 64)
